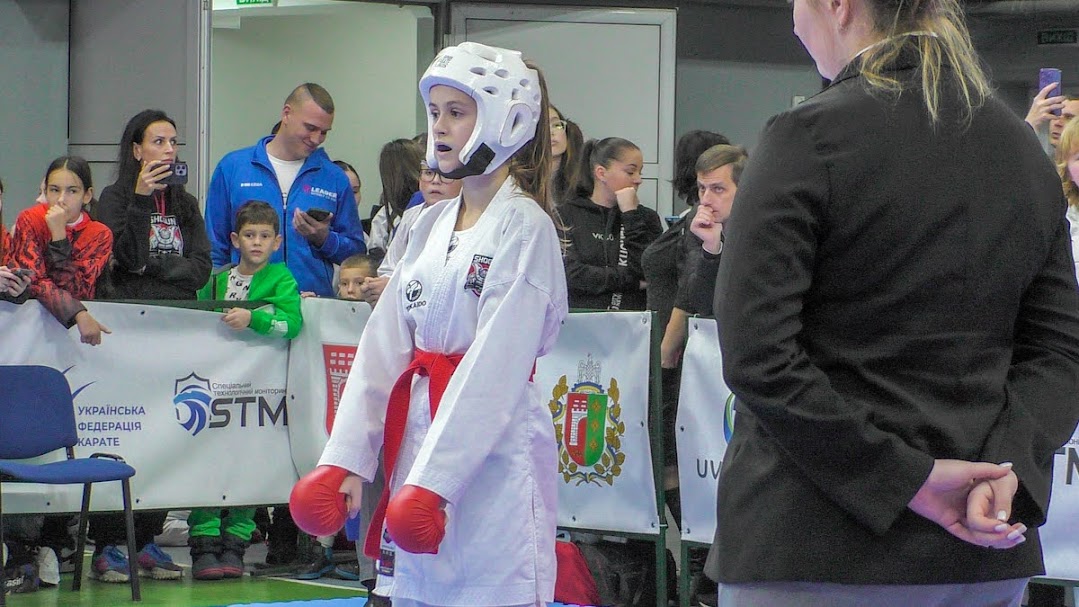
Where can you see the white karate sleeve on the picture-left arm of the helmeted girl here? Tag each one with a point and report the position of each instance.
(386, 350)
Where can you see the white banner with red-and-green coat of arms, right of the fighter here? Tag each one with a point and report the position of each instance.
(597, 378)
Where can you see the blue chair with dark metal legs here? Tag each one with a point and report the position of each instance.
(37, 417)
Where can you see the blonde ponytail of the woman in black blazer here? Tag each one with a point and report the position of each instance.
(946, 42)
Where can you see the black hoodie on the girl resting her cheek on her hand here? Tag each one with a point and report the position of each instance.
(604, 254)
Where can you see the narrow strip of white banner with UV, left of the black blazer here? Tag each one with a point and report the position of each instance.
(703, 403)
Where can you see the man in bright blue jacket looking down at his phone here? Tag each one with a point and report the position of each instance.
(320, 223)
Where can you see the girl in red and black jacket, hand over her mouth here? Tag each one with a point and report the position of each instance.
(65, 249)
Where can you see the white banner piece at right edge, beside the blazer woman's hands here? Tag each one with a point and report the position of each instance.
(1060, 535)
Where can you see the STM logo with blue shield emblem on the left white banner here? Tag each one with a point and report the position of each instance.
(202, 405)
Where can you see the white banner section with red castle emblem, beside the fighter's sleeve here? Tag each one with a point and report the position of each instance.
(319, 365)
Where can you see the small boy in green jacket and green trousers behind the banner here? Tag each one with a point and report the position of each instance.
(217, 546)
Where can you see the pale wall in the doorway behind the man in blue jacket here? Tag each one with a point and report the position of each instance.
(364, 54)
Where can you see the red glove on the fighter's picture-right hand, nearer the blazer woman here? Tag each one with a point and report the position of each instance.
(416, 520)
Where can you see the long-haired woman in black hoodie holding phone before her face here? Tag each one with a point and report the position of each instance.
(160, 247)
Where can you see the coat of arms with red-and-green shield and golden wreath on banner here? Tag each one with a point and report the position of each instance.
(589, 427)
